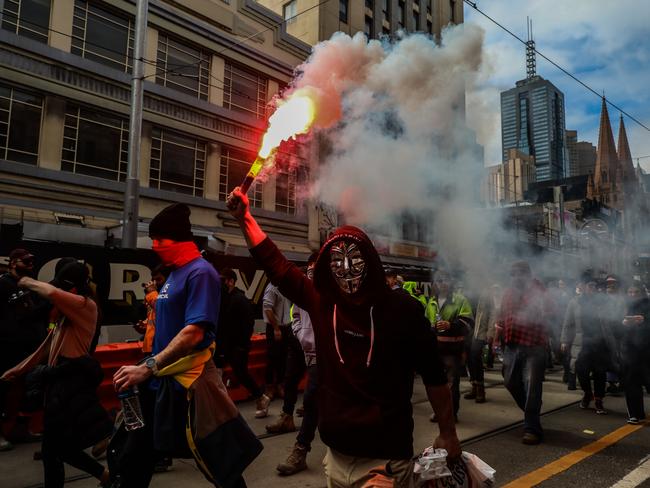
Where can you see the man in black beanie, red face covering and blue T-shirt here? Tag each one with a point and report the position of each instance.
(181, 368)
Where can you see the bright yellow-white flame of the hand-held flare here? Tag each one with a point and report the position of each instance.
(293, 117)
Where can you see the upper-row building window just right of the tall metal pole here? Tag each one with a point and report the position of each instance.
(182, 67)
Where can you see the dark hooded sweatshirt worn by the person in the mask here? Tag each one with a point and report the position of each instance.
(365, 372)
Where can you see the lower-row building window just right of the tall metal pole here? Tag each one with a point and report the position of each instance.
(177, 162)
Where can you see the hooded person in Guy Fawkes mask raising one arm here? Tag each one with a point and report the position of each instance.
(369, 343)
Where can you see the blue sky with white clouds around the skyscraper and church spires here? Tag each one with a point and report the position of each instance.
(604, 43)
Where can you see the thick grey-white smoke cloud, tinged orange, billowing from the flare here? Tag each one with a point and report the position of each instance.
(395, 140)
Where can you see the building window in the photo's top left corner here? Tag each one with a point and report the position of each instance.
(29, 18)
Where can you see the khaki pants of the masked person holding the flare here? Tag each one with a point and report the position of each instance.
(353, 472)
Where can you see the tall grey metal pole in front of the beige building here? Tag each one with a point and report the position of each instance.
(132, 193)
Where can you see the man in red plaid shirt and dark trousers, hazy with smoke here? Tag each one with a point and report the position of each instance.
(522, 319)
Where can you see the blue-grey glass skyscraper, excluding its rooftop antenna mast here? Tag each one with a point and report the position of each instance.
(532, 121)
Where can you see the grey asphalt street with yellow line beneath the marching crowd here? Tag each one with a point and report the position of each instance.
(581, 448)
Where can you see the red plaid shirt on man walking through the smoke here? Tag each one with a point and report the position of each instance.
(523, 316)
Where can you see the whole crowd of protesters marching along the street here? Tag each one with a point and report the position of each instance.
(358, 332)
